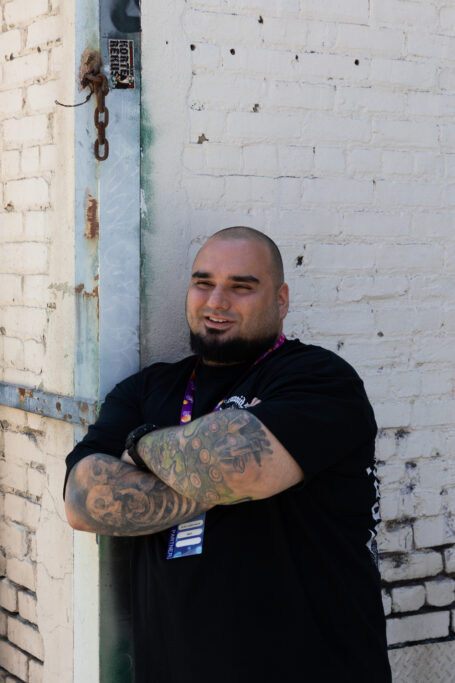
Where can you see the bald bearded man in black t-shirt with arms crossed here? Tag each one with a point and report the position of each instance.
(274, 441)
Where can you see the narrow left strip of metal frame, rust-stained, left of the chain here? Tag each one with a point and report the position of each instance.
(86, 343)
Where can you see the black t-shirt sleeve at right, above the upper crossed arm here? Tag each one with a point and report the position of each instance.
(318, 409)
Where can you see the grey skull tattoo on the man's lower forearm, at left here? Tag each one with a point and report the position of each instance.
(116, 499)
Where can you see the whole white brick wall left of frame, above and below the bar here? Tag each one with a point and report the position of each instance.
(36, 335)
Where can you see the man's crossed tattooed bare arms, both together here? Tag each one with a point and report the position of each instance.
(221, 458)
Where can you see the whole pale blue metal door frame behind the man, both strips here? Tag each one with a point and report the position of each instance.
(107, 288)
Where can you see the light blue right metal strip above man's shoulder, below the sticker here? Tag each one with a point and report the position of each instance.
(120, 203)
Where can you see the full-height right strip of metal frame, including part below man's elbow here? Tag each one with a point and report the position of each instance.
(119, 254)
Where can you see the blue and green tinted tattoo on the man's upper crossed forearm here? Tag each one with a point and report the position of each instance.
(214, 459)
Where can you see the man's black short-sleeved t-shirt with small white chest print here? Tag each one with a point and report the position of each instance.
(286, 588)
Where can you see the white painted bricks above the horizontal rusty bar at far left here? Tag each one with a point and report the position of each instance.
(27, 93)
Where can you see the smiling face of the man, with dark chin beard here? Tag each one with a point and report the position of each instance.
(233, 306)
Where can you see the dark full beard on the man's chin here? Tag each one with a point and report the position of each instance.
(213, 349)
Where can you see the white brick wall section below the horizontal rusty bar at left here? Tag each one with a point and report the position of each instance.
(36, 560)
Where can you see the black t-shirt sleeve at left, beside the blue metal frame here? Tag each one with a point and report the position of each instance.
(119, 415)
